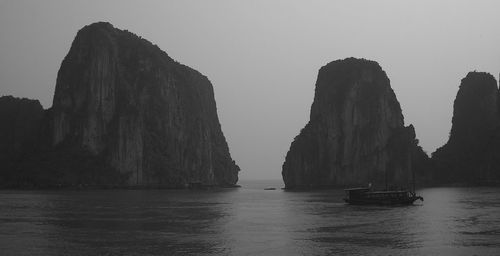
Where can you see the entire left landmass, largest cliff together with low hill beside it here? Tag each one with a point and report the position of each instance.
(124, 113)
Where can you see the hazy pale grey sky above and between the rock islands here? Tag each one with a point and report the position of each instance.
(262, 57)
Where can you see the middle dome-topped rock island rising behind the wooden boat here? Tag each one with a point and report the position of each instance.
(356, 132)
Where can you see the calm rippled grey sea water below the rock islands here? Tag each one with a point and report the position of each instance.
(246, 221)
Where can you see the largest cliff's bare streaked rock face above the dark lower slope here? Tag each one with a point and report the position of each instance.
(120, 97)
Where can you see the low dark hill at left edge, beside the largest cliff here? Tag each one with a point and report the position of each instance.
(19, 122)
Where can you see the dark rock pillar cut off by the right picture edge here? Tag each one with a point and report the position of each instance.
(472, 153)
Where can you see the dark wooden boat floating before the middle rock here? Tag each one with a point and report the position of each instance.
(365, 196)
